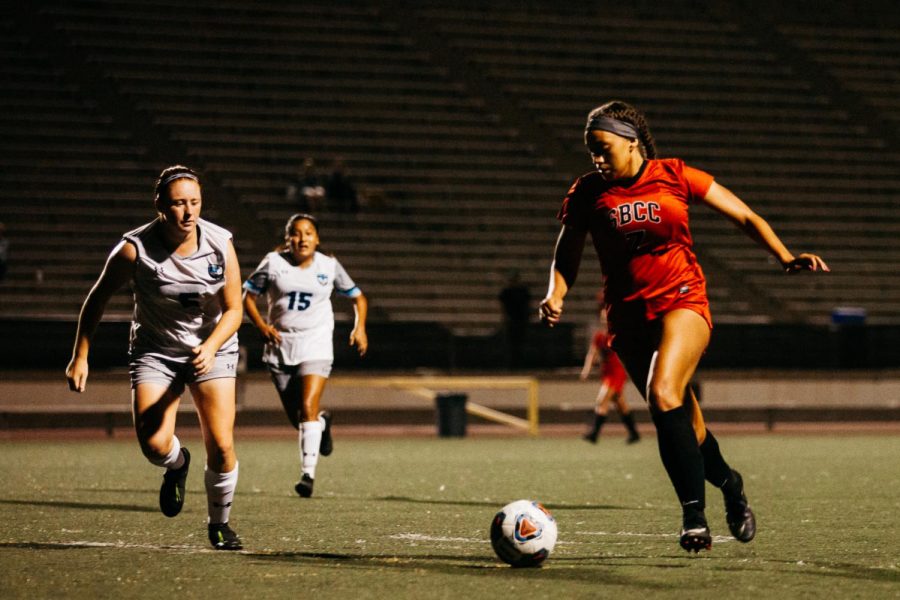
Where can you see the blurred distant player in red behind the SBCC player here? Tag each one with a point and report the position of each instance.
(612, 377)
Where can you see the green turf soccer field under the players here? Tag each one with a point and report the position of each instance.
(409, 518)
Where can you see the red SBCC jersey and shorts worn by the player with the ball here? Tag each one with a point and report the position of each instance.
(640, 231)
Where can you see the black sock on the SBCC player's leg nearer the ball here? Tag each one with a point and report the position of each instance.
(681, 457)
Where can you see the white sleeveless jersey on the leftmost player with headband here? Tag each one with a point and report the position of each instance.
(176, 298)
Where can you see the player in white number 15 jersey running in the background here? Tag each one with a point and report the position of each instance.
(298, 281)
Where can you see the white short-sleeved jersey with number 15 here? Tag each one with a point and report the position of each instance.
(300, 305)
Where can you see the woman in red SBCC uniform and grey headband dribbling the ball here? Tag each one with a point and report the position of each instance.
(635, 207)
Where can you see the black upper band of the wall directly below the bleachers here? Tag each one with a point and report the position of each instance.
(405, 346)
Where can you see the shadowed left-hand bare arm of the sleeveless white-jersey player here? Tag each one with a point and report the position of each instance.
(117, 272)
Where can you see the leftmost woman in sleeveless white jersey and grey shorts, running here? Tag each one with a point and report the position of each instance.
(187, 310)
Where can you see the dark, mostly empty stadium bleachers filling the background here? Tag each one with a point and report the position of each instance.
(462, 189)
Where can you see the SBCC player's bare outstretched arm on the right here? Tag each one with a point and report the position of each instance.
(722, 200)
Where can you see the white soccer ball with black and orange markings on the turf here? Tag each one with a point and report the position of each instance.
(523, 533)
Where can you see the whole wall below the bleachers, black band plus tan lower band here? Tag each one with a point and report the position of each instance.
(762, 374)
